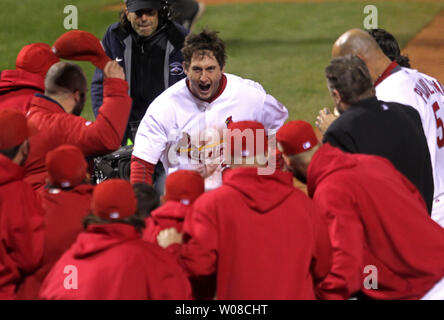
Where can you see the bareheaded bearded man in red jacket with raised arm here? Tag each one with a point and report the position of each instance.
(57, 114)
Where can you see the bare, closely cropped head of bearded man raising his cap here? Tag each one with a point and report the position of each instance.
(64, 78)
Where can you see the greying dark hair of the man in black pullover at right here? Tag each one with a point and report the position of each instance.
(350, 76)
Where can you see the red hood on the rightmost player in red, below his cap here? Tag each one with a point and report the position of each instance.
(326, 160)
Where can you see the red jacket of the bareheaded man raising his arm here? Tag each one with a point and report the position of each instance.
(57, 127)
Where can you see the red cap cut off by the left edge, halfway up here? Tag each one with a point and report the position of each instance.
(14, 128)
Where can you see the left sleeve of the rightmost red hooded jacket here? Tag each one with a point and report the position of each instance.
(347, 238)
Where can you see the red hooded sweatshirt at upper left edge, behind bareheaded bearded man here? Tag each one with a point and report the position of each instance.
(17, 88)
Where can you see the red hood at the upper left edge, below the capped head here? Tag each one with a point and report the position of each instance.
(19, 79)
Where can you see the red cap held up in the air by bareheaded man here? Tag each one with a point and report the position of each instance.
(81, 46)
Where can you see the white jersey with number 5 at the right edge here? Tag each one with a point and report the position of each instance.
(426, 95)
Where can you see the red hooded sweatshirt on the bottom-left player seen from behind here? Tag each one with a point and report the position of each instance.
(112, 262)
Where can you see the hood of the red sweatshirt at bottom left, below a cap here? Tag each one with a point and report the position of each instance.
(98, 238)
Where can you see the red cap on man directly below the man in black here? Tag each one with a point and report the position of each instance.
(296, 137)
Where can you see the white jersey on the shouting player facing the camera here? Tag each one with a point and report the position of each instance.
(185, 132)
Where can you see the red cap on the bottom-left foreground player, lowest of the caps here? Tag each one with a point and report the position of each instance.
(114, 199)
